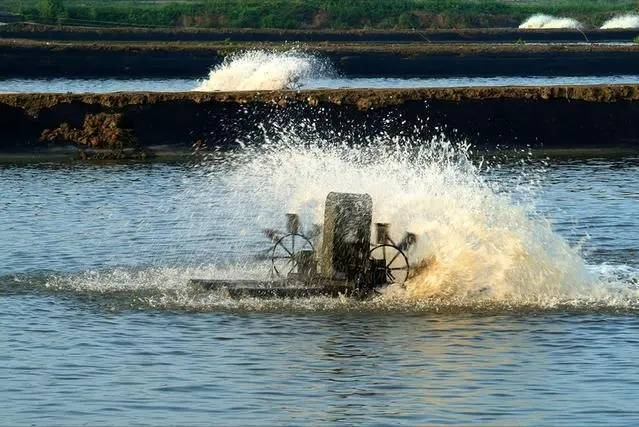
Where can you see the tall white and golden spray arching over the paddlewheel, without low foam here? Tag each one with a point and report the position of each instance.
(475, 241)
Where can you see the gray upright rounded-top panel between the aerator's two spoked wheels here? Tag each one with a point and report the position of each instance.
(347, 235)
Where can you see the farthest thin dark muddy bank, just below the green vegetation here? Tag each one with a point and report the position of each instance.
(484, 35)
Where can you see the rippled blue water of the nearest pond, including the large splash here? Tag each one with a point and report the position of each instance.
(101, 327)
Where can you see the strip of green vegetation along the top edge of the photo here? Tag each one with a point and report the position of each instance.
(314, 14)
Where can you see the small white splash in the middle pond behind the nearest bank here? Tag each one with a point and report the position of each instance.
(265, 70)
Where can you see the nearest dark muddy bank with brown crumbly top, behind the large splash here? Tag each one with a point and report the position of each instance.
(142, 125)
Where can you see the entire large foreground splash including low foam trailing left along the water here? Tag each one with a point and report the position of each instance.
(482, 244)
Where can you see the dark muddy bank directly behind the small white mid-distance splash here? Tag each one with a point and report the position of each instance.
(28, 58)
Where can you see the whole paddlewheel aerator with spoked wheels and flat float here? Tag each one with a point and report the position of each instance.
(346, 262)
